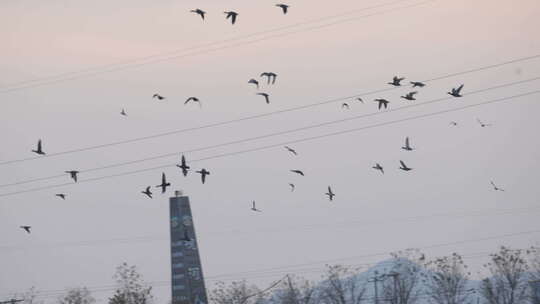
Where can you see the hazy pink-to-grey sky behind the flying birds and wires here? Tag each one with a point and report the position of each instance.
(446, 198)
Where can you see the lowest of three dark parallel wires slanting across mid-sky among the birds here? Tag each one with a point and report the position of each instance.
(278, 145)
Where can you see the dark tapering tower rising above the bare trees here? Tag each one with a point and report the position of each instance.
(187, 280)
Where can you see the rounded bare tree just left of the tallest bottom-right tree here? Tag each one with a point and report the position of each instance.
(446, 280)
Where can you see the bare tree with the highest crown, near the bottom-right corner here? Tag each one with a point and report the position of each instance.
(508, 282)
